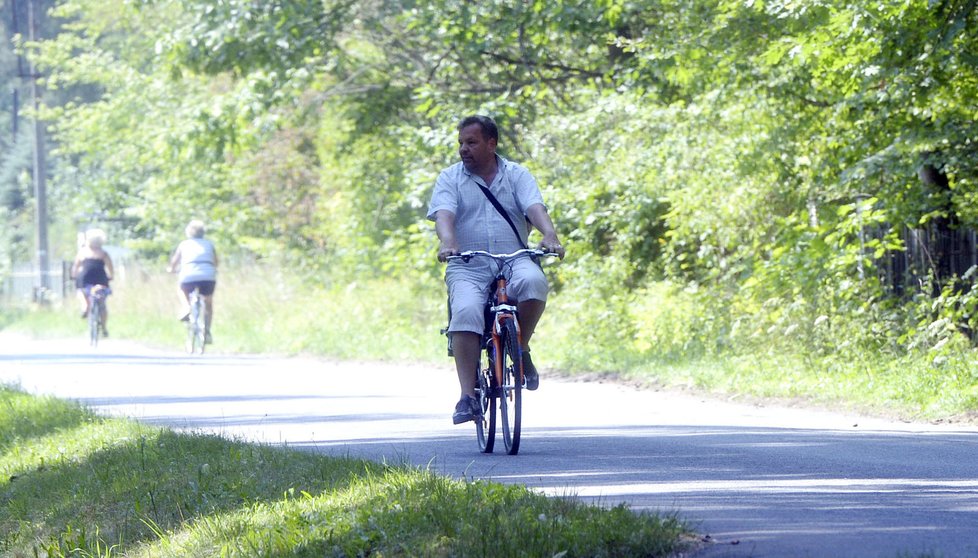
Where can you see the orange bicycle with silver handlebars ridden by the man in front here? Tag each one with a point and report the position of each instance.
(501, 382)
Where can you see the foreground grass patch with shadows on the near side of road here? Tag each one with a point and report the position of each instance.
(75, 484)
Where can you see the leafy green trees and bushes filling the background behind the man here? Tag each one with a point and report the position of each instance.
(758, 158)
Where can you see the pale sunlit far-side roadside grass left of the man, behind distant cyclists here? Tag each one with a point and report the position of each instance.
(259, 310)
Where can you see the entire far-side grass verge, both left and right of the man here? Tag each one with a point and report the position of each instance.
(657, 337)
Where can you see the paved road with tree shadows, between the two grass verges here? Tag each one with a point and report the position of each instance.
(760, 481)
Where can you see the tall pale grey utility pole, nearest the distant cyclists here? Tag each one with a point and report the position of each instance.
(40, 171)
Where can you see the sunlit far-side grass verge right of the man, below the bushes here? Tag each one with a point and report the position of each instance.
(663, 338)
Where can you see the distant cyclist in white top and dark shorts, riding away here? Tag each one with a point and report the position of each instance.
(196, 260)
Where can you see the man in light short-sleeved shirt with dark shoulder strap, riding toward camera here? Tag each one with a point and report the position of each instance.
(485, 202)
